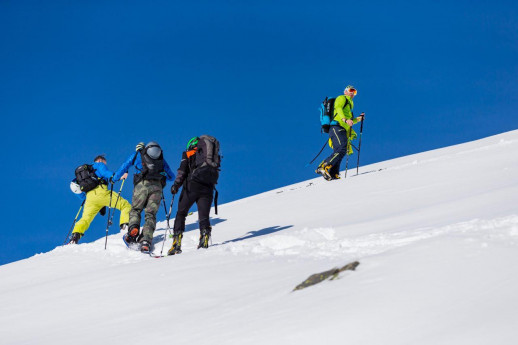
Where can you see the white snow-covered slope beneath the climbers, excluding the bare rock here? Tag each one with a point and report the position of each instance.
(436, 235)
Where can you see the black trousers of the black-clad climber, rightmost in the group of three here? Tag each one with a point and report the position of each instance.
(202, 195)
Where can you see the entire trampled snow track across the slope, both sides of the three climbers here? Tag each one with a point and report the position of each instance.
(314, 243)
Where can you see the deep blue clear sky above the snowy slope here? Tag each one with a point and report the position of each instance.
(87, 77)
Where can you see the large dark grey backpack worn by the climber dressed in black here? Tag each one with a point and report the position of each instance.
(207, 161)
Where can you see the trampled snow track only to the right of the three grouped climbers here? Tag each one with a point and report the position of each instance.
(325, 242)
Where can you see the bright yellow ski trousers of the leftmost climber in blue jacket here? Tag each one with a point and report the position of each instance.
(95, 200)
